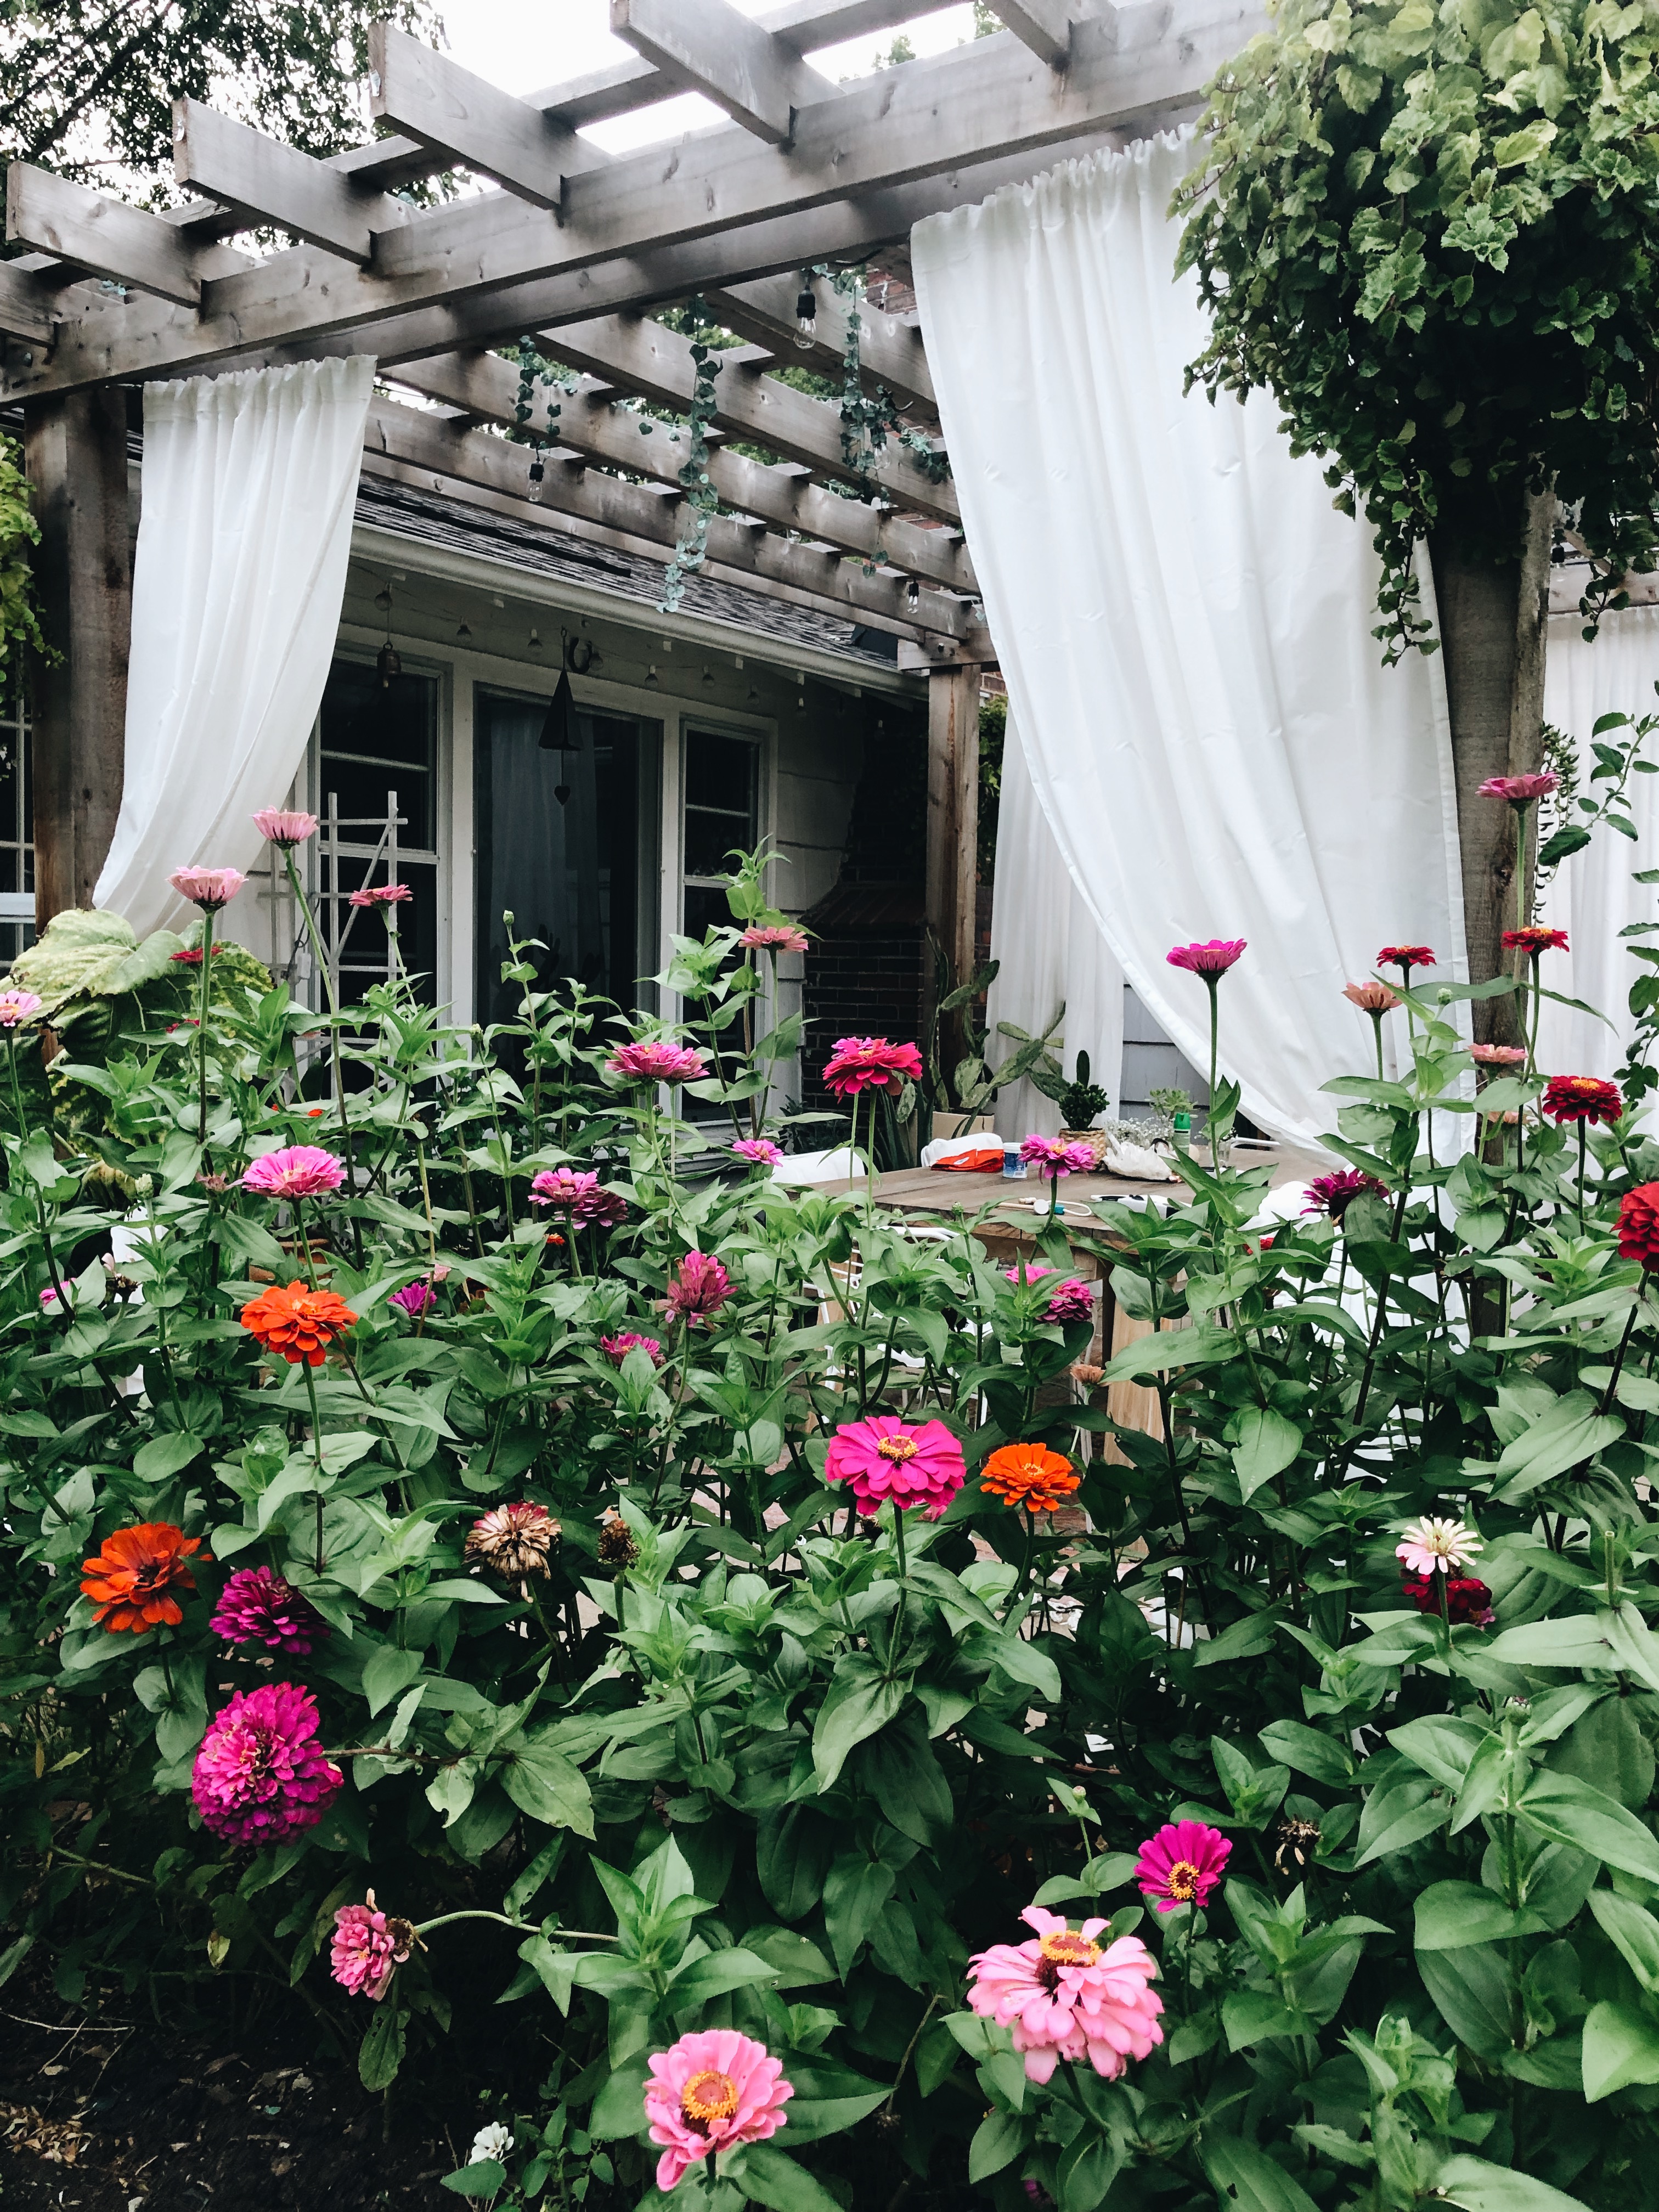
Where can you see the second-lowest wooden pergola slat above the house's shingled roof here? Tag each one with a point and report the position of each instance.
(594, 426)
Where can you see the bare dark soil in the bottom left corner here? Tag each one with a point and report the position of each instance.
(116, 2114)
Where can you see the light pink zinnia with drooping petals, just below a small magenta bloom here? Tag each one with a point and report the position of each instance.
(1067, 1999)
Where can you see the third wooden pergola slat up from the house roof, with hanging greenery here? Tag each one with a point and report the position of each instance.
(658, 364)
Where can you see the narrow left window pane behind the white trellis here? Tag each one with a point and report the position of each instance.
(379, 758)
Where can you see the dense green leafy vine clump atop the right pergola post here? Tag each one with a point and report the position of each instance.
(1430, 233)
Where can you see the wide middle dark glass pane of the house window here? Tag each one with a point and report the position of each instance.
(567, 844)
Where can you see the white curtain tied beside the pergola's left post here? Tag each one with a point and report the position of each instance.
(238, 585)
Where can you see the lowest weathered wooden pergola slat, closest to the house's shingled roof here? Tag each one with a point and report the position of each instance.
(428, 441)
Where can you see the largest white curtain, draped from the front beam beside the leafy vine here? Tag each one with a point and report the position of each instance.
(1187, 634)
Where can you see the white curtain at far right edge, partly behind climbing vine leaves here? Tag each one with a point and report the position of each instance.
(1594, 895)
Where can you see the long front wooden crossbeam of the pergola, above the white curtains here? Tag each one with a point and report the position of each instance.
(983, 101)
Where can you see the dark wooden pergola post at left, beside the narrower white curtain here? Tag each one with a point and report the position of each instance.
(76, 459)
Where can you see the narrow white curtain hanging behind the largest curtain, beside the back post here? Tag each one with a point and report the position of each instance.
(1052, 952)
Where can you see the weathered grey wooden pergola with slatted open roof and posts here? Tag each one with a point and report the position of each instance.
(572, 249)
